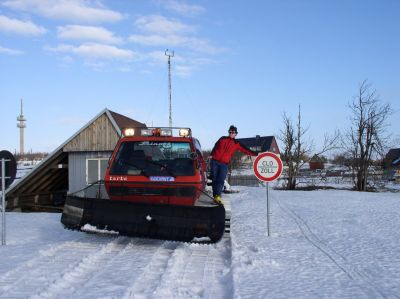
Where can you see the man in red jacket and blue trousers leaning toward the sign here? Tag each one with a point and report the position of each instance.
(220, 156)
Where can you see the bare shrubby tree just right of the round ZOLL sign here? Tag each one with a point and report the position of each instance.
(297, 150)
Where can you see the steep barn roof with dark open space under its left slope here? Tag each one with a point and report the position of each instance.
(45, 173)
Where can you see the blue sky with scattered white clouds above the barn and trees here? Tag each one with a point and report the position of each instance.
(236, 62)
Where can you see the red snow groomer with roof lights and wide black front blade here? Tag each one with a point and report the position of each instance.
(155, 185)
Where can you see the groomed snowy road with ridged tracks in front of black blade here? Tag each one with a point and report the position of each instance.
(87, 265)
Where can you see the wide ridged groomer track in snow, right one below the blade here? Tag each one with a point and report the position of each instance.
(191, 271)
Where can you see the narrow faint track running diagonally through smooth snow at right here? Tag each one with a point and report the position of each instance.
(366, 283)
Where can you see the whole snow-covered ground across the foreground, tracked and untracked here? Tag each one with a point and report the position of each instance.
(323, 244)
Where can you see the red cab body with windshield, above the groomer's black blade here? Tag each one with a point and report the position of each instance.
(156, 169)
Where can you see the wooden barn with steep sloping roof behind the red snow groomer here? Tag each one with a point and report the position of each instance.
(78, 162)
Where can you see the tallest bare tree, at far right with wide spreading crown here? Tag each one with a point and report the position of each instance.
(366, 137)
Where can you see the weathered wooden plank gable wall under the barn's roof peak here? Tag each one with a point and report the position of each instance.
(98, 136)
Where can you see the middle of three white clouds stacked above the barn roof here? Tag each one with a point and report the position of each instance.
(88, 33)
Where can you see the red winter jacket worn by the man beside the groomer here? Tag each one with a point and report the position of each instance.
(225, 148)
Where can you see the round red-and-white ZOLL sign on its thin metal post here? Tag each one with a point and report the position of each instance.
(267, 167)
